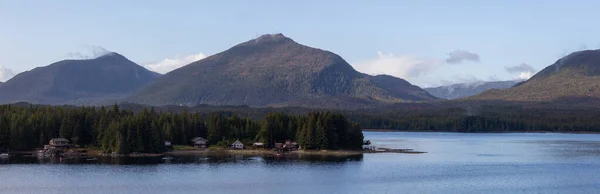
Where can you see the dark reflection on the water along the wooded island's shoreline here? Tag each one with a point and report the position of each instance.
(201, 159)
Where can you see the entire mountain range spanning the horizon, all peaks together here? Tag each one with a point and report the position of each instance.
(275, 71)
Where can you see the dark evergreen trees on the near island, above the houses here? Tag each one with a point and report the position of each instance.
(118, 130)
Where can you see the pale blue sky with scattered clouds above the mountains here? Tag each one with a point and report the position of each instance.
(428, 43)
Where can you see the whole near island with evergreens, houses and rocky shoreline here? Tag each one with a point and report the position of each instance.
(98, 131)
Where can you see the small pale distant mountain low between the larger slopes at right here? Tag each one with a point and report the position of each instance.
(468, 89)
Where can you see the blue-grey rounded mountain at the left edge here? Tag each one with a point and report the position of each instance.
(110, 76)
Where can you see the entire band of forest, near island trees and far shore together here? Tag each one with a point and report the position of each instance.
(137, 128)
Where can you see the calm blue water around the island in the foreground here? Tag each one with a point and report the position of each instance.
(455, 163)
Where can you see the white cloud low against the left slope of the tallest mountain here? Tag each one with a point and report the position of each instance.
(170, 64)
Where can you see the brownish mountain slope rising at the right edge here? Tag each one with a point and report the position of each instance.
(575, 76)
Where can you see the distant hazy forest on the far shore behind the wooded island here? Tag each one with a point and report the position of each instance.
(450, 116)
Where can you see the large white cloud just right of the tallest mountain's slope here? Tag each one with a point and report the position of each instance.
(403, 66)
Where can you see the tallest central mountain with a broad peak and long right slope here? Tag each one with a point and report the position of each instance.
(274, 70)
